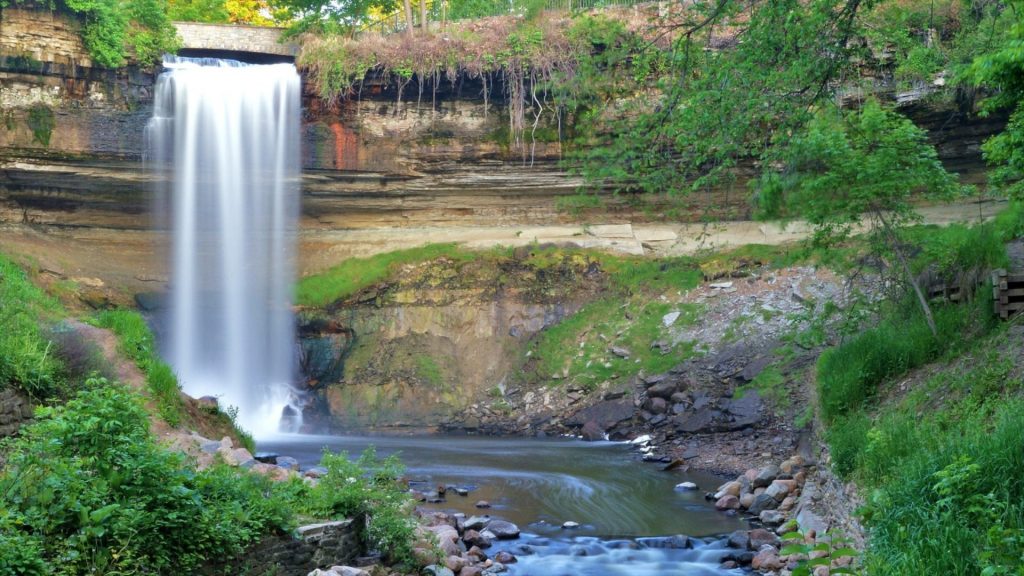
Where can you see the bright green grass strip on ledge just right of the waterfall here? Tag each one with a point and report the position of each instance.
(355, 274)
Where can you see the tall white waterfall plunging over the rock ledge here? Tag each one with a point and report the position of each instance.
(228, 137)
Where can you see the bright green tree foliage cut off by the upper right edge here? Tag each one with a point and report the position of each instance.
(1003, 72)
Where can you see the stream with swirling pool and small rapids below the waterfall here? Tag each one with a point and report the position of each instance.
(628, 511)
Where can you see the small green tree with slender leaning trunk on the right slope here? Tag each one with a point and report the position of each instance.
(856, 167)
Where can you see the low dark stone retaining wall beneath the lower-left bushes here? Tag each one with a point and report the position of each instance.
(317, 546)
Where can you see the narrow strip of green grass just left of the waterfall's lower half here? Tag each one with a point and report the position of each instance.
(138, 343)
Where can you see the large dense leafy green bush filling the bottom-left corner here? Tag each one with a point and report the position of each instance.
(91, 492)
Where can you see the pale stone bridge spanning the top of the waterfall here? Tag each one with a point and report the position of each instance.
(247, 44)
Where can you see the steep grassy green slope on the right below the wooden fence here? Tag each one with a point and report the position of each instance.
(940, 455)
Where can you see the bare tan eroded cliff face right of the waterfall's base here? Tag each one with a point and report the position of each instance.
(437, 344)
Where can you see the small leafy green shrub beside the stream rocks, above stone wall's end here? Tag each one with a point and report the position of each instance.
(369, 489)
